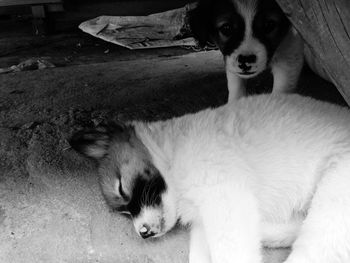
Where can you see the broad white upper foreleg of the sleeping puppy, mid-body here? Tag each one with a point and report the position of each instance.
(231, 223)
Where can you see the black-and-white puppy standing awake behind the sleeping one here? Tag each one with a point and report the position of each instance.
(252, 35)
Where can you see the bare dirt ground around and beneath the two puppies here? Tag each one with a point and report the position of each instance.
(51, 209)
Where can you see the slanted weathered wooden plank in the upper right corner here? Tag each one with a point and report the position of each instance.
(325, 27)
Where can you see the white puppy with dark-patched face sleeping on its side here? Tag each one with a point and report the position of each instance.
(267, 169)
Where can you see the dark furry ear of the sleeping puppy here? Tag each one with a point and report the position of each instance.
(92, 143)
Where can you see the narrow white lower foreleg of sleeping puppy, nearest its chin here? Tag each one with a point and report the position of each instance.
(199, 251)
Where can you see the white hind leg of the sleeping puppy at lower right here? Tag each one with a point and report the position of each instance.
(325, 233)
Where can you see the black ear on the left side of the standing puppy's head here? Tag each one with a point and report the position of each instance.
(198, 21)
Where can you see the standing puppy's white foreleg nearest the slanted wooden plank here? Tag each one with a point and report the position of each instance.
(287, 63)
